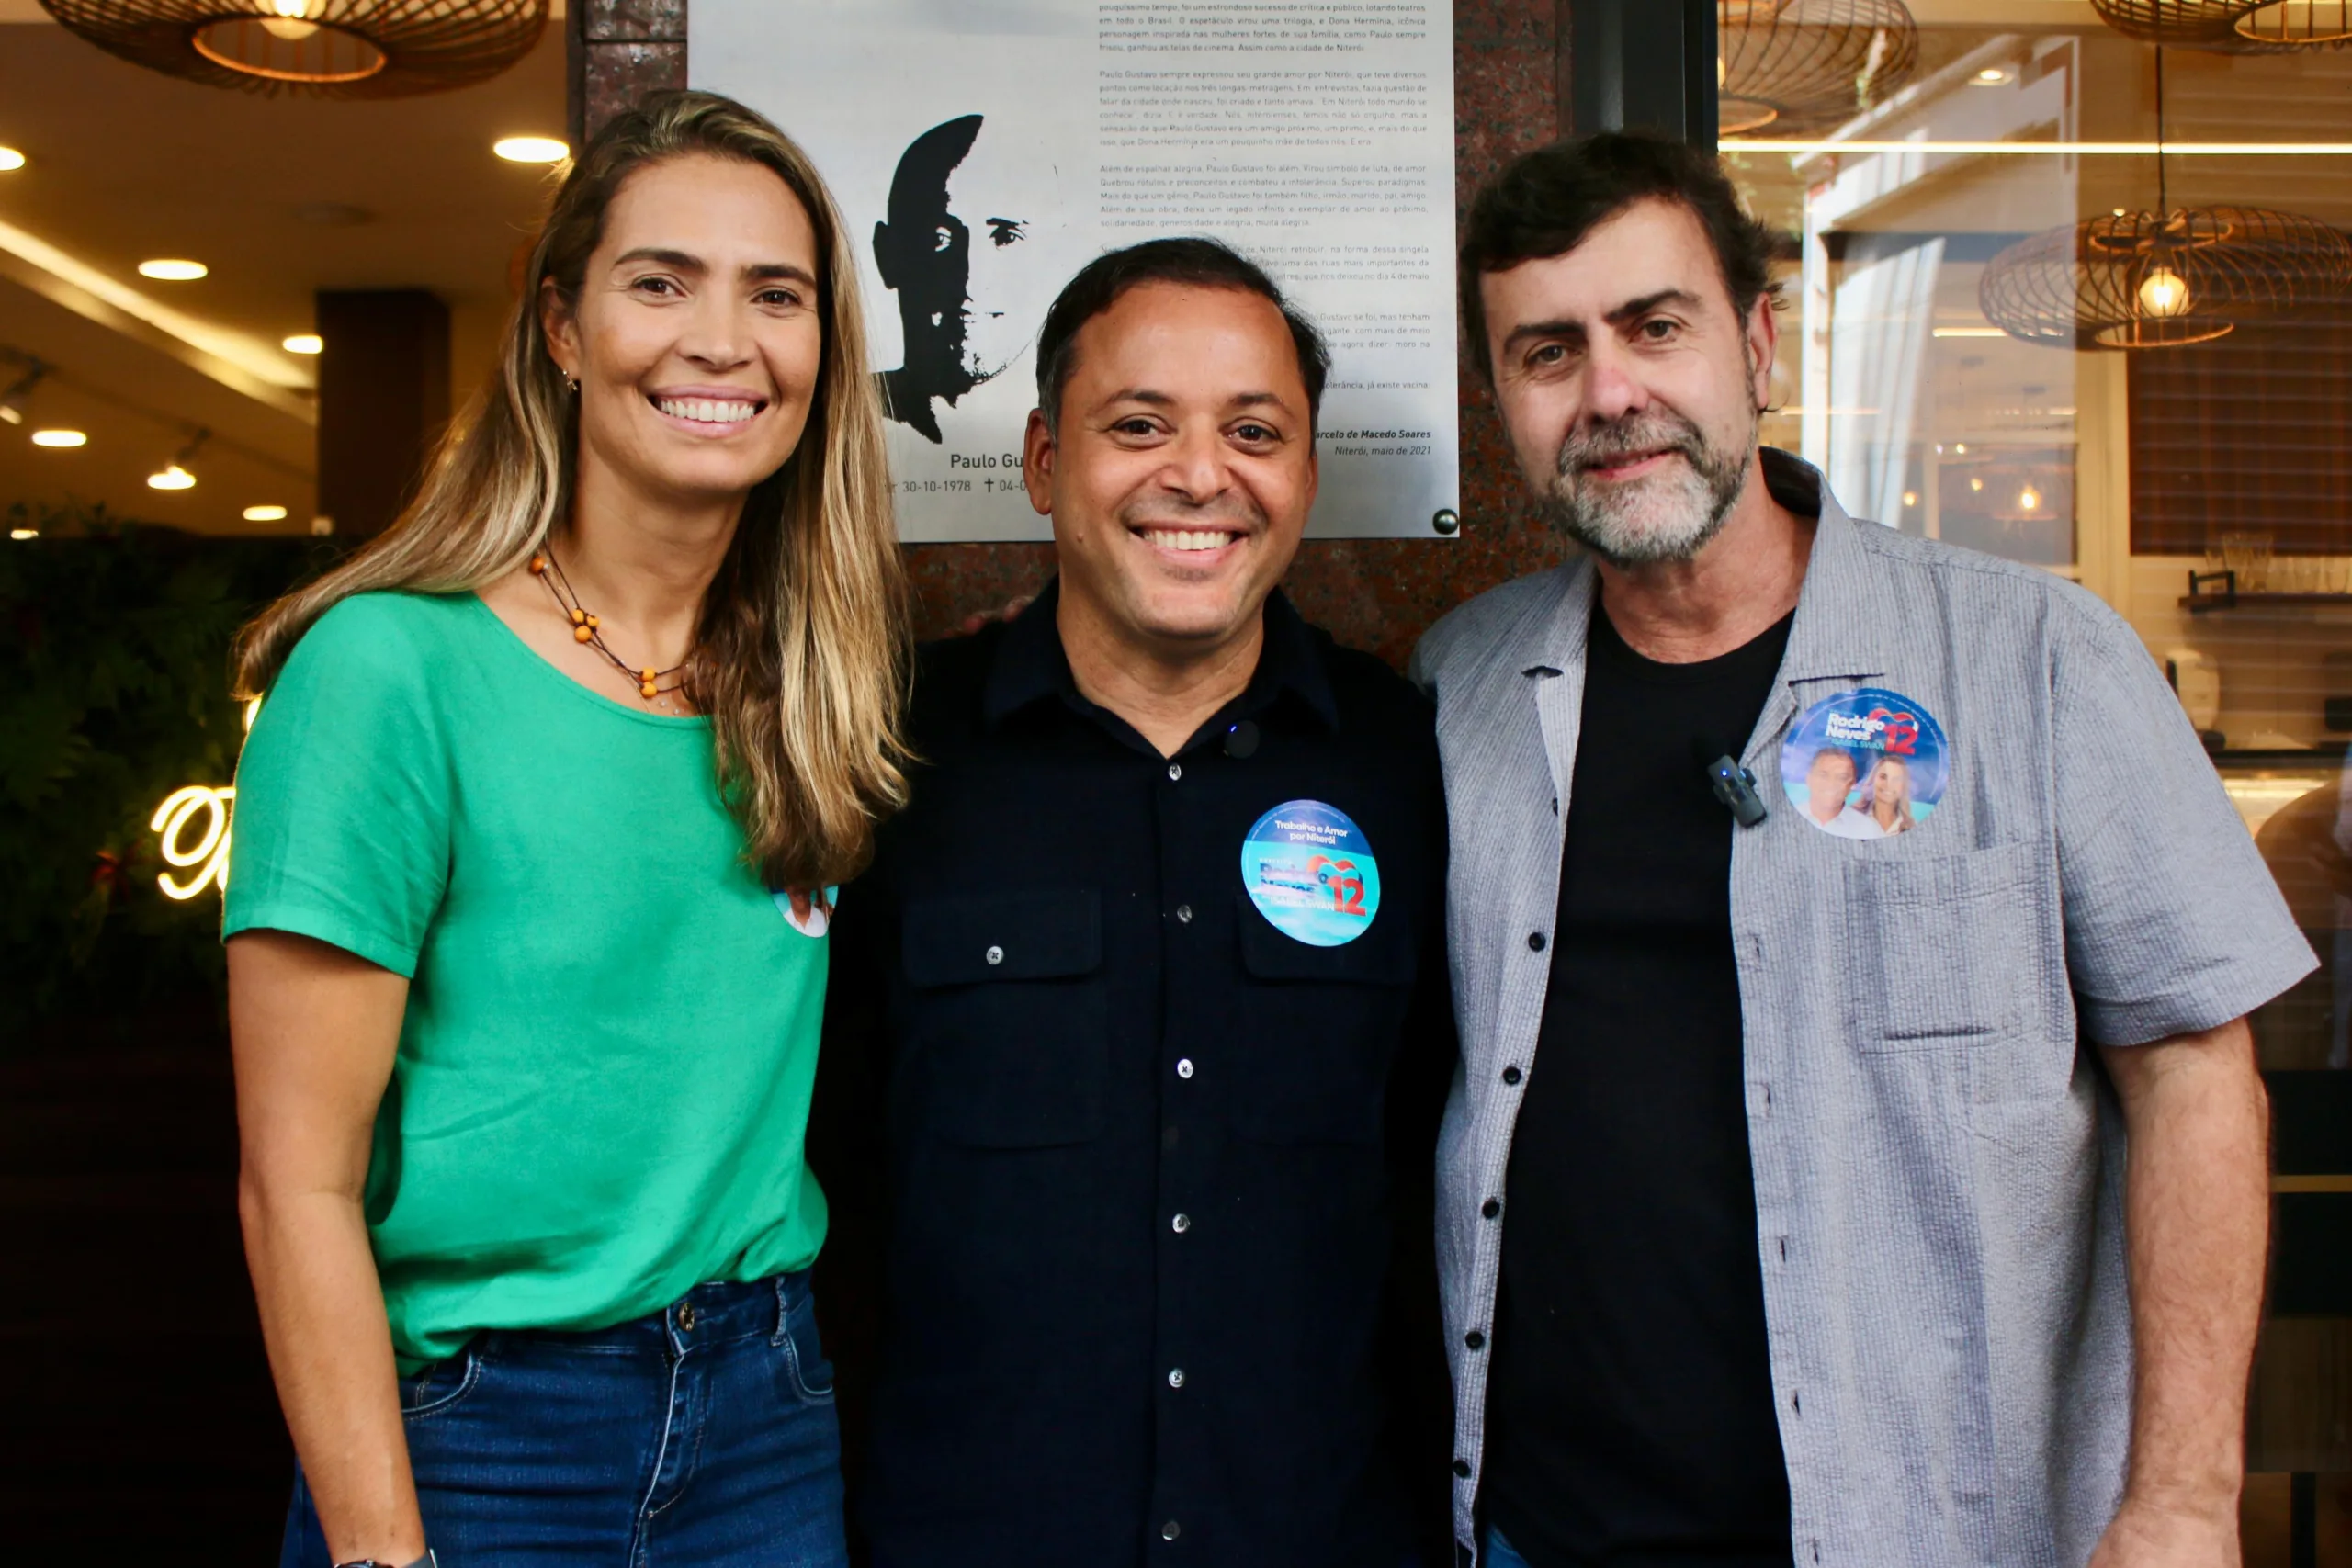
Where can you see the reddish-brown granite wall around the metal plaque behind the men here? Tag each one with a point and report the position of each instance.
(1375, 594)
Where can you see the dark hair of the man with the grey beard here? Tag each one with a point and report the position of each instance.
(1546, 203)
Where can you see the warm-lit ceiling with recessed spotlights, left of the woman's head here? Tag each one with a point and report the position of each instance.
(279, 199)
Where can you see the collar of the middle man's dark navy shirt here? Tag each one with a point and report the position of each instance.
(1031, 666)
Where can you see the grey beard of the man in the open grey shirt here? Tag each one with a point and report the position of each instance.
(1666, 518)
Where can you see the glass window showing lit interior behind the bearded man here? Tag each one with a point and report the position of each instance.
(2221, 450)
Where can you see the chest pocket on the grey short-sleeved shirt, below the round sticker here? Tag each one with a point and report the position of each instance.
(1942, 949)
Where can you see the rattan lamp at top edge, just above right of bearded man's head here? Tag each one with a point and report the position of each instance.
(1808, 65)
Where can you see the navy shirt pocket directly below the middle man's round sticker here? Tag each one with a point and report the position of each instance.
(1318, 1036)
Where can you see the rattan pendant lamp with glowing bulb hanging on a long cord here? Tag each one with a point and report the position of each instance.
(2163, 279)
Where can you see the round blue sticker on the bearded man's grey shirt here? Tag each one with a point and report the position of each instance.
(1866, 765)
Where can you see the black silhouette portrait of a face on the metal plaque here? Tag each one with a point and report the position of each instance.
(935, 253)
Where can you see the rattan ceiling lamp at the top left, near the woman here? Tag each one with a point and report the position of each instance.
(319, 48)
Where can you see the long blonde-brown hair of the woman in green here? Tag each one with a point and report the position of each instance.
(803, 645)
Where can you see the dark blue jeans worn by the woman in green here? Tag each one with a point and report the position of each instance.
(702, 1438)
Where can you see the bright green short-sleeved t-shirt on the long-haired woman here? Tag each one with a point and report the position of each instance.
(606, 1066)
